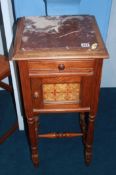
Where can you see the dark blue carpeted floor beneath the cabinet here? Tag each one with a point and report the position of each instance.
(60, 156)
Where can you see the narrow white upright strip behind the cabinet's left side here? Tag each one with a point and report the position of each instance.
(8, 20)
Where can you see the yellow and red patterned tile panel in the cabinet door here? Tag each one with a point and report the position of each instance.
(61, 93)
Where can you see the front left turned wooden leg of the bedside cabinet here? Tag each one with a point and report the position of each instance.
(33, 140)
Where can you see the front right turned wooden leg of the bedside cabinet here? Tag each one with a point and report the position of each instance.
(89, 139)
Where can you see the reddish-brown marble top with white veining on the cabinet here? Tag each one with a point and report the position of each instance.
(64, 32)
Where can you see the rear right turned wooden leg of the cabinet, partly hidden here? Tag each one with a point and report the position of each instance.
(83, 125)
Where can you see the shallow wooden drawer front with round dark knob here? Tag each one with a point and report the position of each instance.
(50, 67)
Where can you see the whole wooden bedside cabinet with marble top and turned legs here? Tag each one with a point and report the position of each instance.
(60, 62)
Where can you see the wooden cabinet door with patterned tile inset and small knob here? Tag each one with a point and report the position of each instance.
(61, 92)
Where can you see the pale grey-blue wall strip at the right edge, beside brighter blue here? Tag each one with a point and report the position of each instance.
(109, 69)
